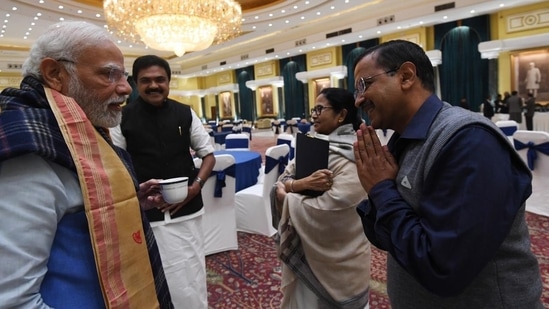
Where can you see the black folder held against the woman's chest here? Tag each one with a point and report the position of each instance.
(311, 154)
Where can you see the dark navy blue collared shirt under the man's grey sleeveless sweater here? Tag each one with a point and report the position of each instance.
(469, 201)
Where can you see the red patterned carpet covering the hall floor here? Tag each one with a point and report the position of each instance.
(250, 277)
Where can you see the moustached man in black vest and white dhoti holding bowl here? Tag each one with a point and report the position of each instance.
(158, 133)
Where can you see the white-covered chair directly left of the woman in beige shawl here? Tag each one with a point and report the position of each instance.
(253, 205)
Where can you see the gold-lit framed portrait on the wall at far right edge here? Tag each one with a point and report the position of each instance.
(530, 72)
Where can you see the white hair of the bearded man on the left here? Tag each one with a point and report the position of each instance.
(64, 40)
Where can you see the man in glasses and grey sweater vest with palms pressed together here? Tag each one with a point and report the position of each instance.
(435, 201)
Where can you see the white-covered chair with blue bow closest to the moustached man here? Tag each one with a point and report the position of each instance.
(219, 219)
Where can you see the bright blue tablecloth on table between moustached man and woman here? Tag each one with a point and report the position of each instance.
(247, 165)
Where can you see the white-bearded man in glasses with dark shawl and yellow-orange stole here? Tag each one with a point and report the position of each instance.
(71, 227)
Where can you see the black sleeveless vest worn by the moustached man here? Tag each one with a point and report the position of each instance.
(158, 140)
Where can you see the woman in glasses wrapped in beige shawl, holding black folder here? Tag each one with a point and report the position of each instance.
(336, 273)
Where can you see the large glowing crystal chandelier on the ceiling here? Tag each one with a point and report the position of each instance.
(174, 25)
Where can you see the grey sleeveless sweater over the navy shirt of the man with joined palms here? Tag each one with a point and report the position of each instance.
(513, 262)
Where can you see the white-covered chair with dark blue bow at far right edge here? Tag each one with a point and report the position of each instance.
(533, 148)
